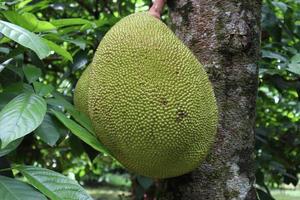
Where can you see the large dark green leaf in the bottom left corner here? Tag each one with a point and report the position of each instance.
(12, 189)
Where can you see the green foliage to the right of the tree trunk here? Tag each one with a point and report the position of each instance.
(278, 107)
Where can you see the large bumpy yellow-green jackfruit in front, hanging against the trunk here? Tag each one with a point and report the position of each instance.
(150, 100)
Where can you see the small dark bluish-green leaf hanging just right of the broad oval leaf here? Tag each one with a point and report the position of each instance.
(48, 131)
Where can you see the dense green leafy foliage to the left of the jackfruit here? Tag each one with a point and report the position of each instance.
(45, 46)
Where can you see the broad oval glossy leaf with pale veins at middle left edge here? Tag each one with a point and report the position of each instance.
(21, 116)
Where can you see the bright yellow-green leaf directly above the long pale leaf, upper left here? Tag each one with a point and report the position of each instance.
(28, 21)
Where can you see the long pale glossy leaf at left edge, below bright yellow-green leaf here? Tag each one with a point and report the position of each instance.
(25, 38)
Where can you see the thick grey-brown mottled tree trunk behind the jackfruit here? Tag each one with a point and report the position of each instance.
(225, 36)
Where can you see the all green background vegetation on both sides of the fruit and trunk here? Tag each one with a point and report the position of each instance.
(44, 47)
